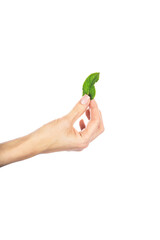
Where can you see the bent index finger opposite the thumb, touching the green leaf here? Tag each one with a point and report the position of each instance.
(95, 125)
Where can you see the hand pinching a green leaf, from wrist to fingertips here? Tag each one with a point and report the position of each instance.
(60, 135)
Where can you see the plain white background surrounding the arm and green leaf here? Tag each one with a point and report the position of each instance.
(111, 190)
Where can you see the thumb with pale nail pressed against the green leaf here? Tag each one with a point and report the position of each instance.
(79, 108)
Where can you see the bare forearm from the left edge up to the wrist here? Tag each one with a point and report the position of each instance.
(19, 149)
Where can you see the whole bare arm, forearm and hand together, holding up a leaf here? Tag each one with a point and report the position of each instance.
(57, 135)
